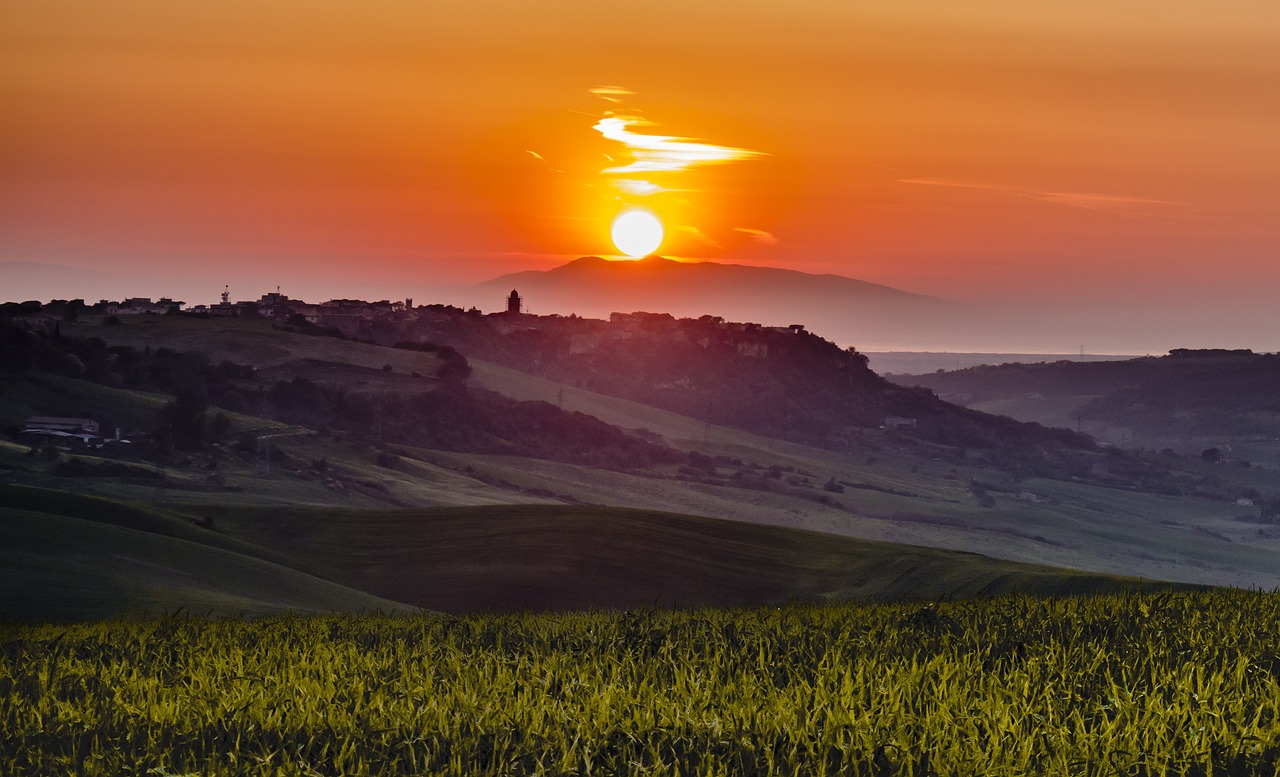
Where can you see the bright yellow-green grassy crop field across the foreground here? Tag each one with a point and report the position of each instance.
(1119, 684)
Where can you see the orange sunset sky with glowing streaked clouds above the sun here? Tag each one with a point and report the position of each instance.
(1109, 168)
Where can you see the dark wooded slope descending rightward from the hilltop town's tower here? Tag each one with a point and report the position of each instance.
(787, 383)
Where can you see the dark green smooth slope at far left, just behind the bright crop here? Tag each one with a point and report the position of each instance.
(89, 560)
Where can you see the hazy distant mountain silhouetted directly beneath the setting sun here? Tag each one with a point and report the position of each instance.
(849, 312)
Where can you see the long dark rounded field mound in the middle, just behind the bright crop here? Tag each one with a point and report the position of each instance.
(575, 557)
